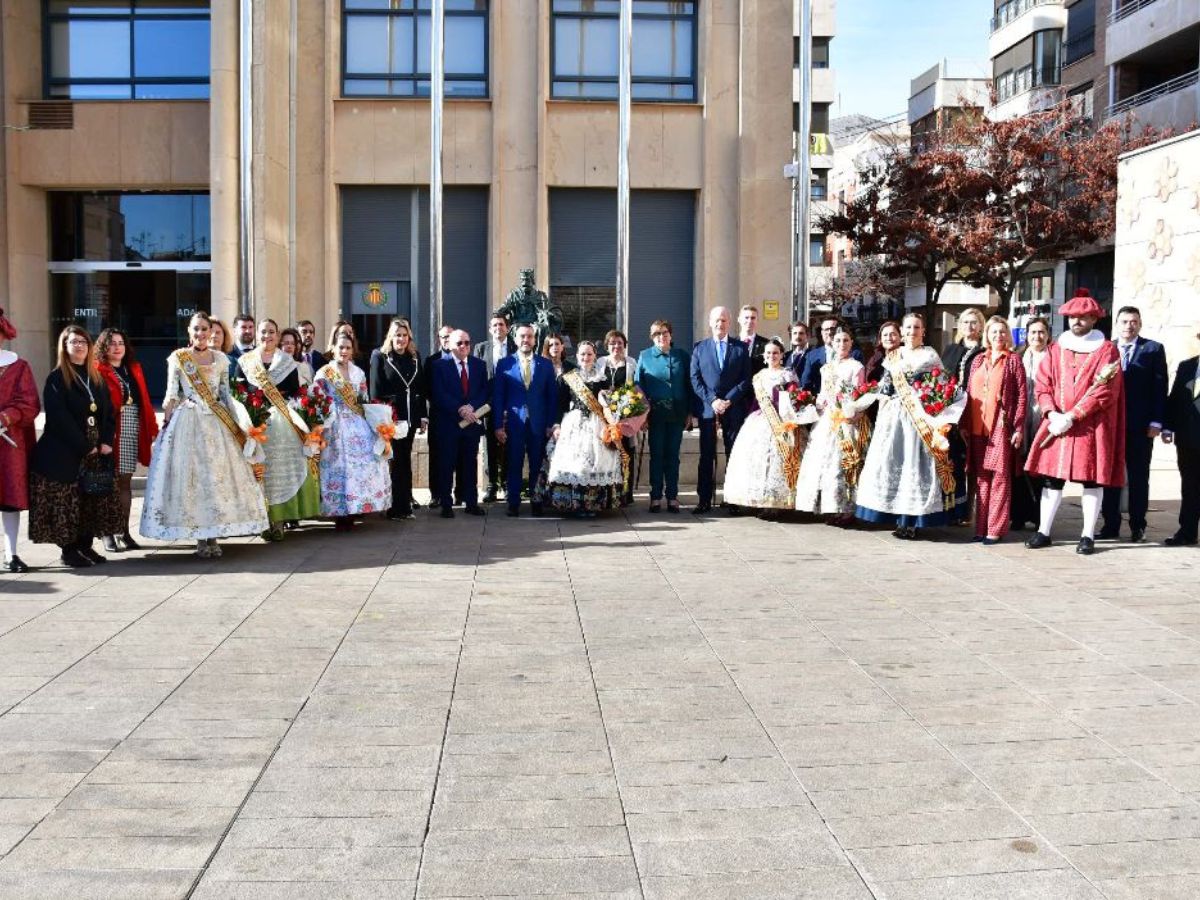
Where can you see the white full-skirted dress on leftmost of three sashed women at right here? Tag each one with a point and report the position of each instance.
(755, 475)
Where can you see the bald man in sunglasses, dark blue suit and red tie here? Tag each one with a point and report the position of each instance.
(459, 388)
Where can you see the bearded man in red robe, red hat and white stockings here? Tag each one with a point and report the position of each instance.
(1082, 439)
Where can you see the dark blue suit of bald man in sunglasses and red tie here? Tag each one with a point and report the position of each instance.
(458, 448)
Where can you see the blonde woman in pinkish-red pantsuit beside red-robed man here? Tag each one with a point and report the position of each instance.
(994, 428)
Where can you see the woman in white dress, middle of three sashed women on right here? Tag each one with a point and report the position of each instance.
(838, 445)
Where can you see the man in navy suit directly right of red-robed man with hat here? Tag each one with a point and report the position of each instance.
(1144, 364)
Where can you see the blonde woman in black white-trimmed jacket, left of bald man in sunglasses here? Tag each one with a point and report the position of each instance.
(398, 379)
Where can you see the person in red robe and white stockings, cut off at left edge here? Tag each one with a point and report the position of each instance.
(20, 407)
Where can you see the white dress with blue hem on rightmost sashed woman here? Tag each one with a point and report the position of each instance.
(899, 484)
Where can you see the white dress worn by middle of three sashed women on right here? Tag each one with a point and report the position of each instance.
(823, 487)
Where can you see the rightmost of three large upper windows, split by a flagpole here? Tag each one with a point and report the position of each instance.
(586, 50)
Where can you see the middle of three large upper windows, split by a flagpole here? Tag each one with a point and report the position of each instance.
(386, 49)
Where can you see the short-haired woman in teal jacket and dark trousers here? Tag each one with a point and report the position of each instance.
(663, 376)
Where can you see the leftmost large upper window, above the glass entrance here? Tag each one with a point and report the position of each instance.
(127, 50)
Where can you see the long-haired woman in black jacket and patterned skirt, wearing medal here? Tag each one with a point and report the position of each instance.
(79, 436)
